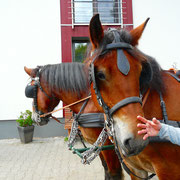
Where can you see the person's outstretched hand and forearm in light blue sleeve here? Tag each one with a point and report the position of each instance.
(155, 128)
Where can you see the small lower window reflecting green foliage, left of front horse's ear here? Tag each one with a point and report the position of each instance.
(79, 48)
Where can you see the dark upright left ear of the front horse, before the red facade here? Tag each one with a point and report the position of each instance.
(96, 31)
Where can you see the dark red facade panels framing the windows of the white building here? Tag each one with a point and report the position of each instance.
(82, 31)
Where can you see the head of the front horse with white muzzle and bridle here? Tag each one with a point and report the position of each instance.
(118, 72)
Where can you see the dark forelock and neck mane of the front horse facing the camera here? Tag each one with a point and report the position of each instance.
(156, 82)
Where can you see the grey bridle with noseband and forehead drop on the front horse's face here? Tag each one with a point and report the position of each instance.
(124, 67)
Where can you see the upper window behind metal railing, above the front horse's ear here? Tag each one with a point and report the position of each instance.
(83, 10)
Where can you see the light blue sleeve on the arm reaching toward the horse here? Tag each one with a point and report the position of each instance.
(170, 133)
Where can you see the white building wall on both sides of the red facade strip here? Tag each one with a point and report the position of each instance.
(30, 36)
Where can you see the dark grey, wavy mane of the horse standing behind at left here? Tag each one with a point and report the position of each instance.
(66, 76)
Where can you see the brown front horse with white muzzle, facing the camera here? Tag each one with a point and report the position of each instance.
(120, 73)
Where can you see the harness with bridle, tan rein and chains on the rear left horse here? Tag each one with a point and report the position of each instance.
(93, 120)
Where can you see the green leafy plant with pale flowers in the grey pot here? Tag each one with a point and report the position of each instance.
(25, 119)
